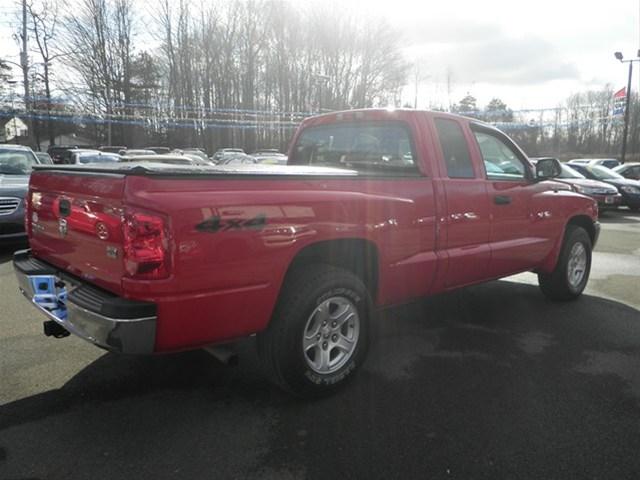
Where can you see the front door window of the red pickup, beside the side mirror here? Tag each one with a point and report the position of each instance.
(500, 161)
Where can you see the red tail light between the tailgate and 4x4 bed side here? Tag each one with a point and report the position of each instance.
(146, 246)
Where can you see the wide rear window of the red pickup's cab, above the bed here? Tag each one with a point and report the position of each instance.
(376, 148)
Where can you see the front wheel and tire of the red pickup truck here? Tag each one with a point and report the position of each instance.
(566, 282)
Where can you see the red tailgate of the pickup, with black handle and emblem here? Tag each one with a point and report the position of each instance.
(75, 221)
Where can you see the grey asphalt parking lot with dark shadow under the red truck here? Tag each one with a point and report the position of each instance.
(491, 381)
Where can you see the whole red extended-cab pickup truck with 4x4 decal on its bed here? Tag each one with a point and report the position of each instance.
(376, 207)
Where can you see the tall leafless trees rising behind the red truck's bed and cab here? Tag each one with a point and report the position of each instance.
(211, 74)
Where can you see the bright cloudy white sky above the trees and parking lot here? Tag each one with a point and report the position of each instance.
(529, 54)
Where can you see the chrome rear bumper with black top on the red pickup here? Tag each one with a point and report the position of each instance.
(106, 320)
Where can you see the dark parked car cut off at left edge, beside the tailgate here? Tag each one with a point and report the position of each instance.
(16, 163)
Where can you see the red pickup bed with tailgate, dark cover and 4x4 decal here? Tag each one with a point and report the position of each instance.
(231, 233)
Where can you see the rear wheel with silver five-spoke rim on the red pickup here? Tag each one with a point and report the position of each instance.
(319, 333)
